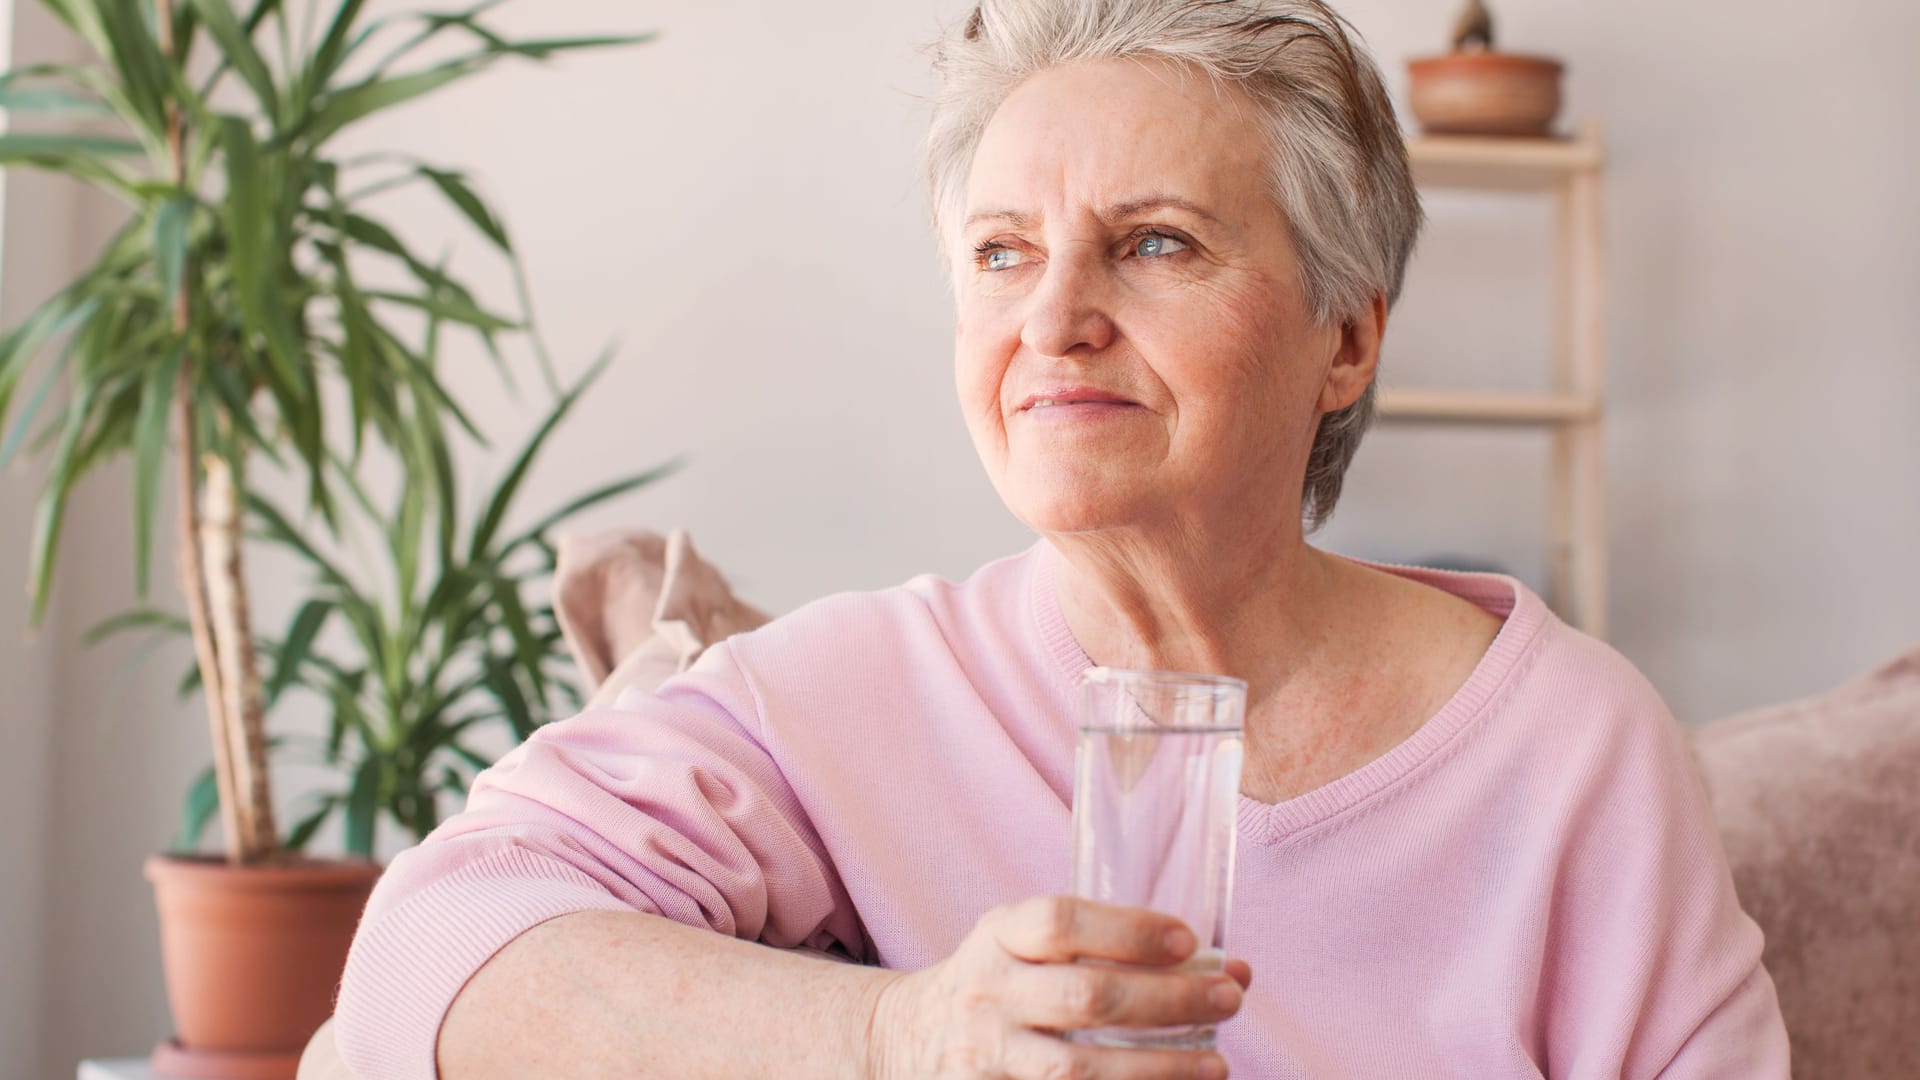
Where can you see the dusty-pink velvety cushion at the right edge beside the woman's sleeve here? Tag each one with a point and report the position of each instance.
(1819, 804)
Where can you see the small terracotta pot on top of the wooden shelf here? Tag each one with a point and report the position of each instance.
(1485, 93)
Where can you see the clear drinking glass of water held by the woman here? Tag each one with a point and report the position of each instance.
(1157, 789)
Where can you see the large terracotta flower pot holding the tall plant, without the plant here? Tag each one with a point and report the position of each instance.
(252, 956)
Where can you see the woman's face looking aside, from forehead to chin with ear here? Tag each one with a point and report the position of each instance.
(1132, 345)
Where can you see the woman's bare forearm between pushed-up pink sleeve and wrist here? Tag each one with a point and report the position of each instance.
(636, 996)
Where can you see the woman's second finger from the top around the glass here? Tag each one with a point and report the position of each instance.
(1063, 998)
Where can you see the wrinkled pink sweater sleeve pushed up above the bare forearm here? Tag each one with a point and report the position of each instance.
(665, 804)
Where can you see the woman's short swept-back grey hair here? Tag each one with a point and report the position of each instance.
(1339, 166)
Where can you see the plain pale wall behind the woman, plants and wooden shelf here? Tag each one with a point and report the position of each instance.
(738, 205)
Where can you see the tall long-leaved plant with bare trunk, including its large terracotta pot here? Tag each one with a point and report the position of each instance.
(220, 328)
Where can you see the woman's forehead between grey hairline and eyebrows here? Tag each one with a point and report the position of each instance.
(1116, 135)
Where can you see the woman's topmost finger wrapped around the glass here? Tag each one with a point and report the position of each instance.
(1063, 929)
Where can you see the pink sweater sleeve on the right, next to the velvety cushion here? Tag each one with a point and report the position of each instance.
(1658, 970)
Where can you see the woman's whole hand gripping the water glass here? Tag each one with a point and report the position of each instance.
(996, 1008)
